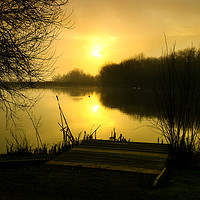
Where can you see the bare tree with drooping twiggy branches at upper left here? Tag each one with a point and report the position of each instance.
(27, 30)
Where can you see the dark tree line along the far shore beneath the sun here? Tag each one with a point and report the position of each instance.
(137, 72)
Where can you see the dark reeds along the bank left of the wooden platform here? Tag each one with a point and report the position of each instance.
(20, 146)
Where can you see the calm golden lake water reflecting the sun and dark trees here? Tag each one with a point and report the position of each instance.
(128, 111)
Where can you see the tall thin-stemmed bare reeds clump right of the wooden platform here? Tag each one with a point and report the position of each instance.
(178, 104)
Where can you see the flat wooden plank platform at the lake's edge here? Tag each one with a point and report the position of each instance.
(133, 157)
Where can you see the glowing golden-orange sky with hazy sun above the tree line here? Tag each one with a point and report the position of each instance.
(110, 31)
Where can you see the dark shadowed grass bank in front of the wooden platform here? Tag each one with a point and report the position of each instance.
(60, 182)
